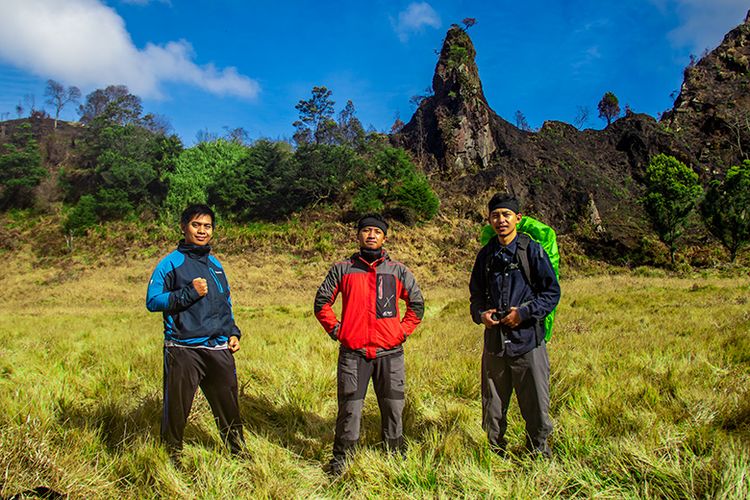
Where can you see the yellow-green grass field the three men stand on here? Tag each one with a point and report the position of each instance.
(650, 391)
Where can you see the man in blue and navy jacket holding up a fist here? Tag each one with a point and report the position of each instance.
(200, 336)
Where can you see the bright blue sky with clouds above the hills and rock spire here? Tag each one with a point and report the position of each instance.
(207, 65)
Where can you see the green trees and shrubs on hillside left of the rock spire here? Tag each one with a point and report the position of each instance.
(125, 165)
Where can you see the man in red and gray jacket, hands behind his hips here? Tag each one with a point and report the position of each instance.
(371, 333)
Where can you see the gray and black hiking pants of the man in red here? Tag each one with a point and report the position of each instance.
(353, 375)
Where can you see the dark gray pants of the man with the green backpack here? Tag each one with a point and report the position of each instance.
(528, 374)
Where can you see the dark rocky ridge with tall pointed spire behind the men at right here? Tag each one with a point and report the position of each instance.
(588, 181)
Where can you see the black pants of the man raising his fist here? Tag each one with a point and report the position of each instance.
(214, 371)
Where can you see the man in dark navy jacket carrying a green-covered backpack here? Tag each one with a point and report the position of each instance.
(513, 311)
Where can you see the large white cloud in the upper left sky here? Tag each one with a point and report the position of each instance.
(85, 43)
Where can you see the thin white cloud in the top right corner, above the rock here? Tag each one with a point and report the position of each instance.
(703, 23)
